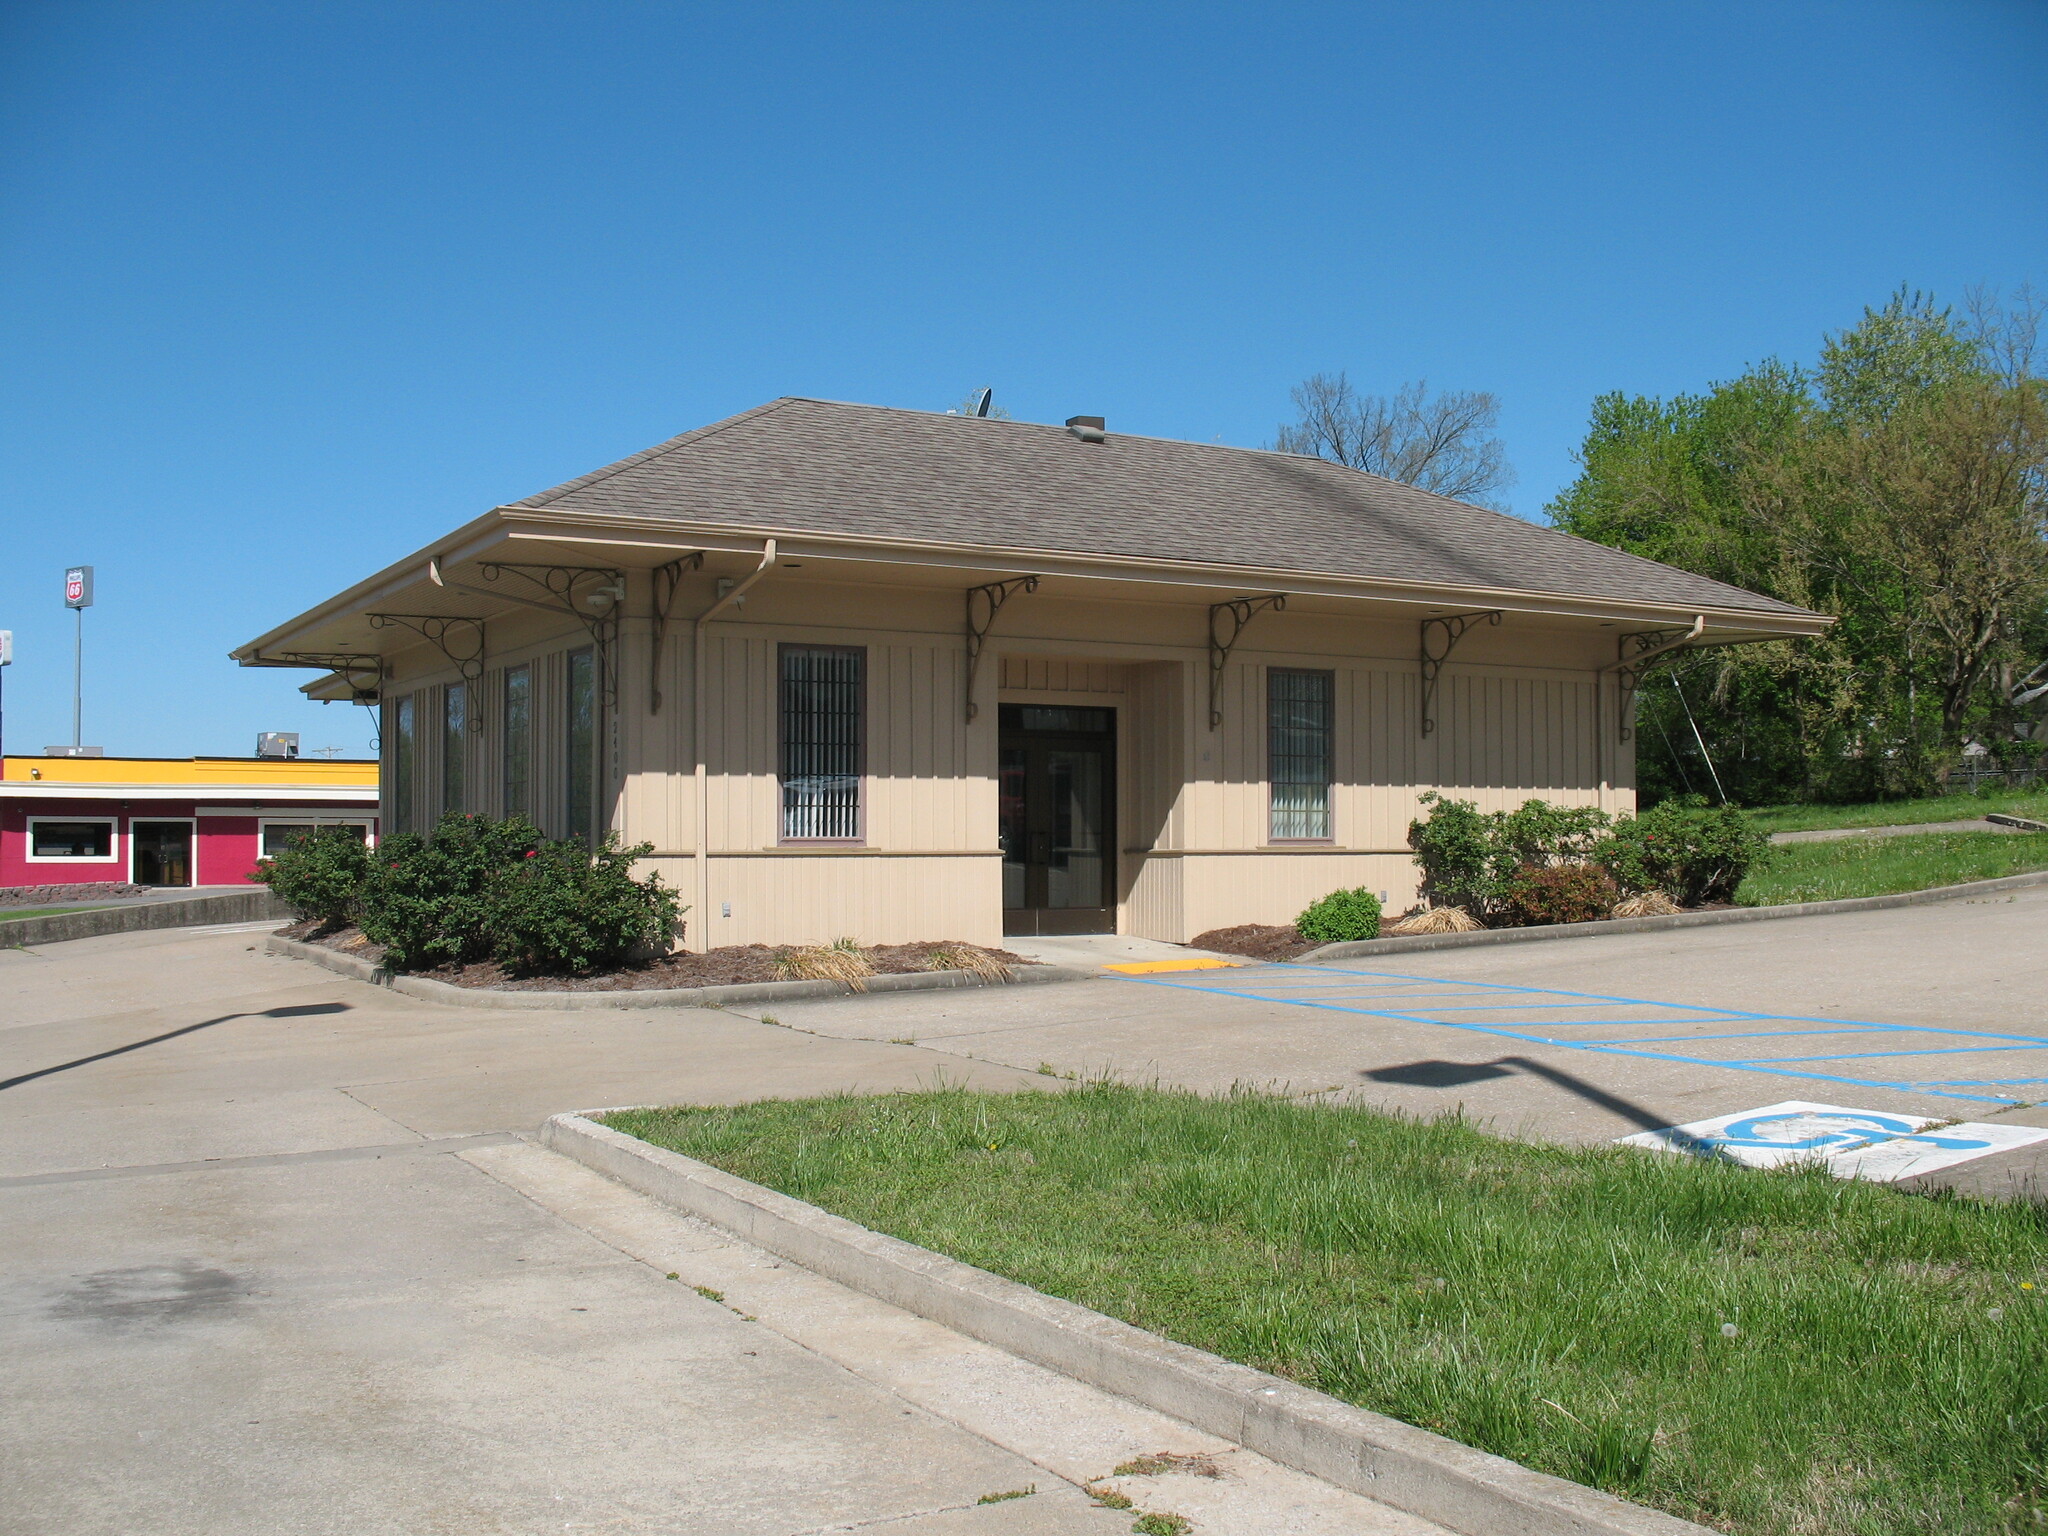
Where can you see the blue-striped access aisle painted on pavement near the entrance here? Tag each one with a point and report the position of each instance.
(1424, 1000)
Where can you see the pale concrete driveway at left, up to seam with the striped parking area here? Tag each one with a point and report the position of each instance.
(286, 1263)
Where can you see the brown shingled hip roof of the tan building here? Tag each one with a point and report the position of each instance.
(812, 466)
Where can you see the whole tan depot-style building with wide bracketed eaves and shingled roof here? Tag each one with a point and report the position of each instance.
(906, 677)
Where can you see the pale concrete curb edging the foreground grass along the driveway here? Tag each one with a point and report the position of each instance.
(1367, 1453)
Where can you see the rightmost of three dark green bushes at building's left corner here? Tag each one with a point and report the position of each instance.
(564, 908)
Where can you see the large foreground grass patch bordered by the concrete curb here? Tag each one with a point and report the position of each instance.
(1566, 1308)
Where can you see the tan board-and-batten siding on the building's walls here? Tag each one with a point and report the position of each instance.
(1517, 718)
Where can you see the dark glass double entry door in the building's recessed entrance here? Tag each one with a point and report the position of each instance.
(1058, 798)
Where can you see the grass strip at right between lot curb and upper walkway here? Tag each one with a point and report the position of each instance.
(1850, 867)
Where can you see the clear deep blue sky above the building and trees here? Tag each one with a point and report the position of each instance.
(294, 288)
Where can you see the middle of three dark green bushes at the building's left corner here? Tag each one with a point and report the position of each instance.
(429, 898)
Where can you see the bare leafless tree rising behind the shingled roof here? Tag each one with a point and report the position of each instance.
(1439, 443)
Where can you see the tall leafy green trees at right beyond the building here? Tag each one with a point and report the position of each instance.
(1897, 486)
